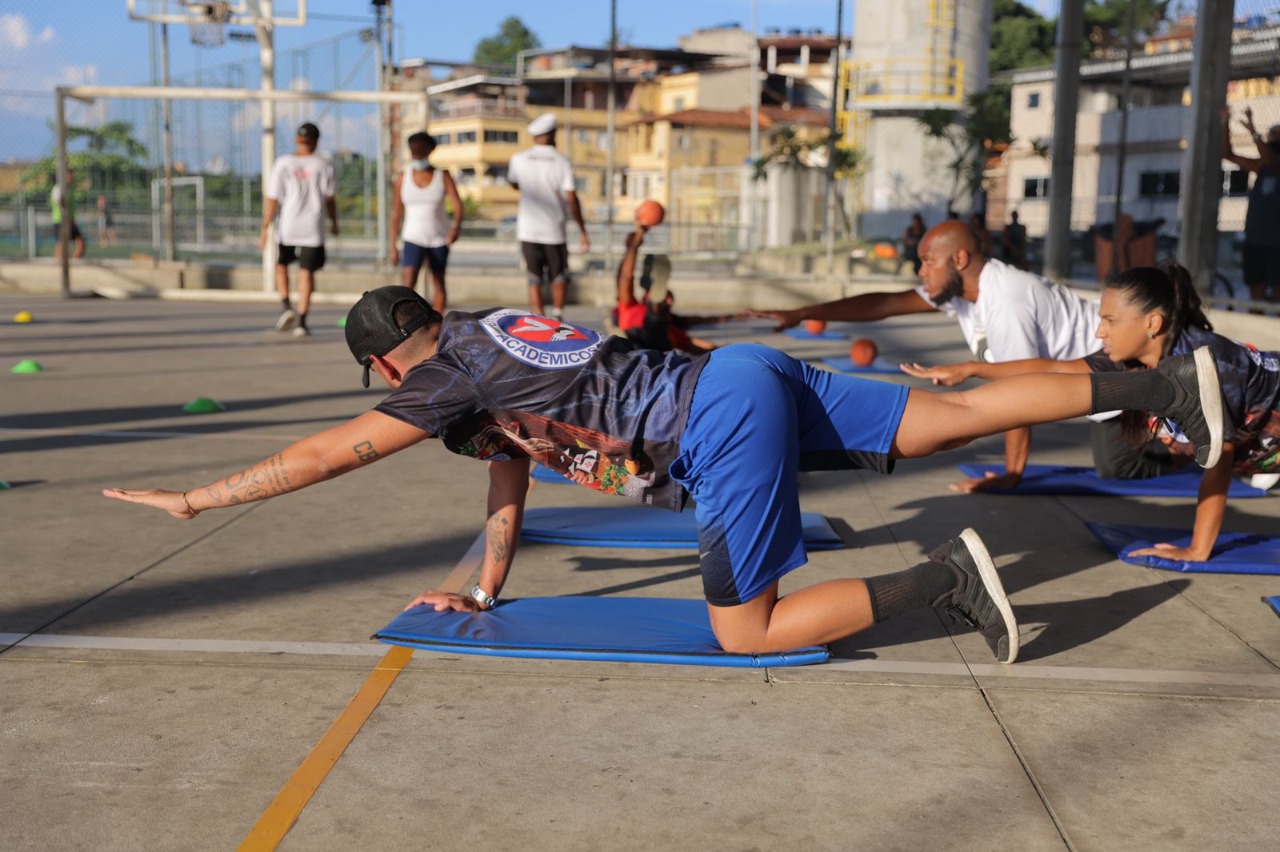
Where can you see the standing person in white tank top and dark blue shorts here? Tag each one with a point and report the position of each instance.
(420, 219)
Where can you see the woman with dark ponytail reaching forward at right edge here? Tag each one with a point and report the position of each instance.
(1148, 315)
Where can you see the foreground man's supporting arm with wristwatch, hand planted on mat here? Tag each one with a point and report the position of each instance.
(509, 485)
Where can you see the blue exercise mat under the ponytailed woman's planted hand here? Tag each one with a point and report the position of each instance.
(1236, 553)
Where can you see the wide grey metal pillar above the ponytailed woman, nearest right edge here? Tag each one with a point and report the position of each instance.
(1203, 173)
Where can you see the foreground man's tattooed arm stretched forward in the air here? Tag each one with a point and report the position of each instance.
(313, 460)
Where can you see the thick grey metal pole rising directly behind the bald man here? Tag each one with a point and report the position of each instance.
(1067, 99)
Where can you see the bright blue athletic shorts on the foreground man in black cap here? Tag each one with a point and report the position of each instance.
(760, 418)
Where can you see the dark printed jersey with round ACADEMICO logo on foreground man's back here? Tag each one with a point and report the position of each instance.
(510, 384)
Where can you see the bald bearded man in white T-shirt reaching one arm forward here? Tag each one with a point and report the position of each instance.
(1005, 314)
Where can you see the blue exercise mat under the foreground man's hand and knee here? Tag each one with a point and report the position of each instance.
(618, 630)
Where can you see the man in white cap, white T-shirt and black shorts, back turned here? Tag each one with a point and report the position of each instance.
(545, 178)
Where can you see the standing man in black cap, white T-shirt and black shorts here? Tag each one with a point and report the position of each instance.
(301, 189)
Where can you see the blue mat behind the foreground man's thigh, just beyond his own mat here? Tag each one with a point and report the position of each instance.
(634, 526)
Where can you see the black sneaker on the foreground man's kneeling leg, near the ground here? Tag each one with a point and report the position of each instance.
(979, 601)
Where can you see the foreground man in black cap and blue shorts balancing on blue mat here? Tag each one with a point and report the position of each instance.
(510, 387)
